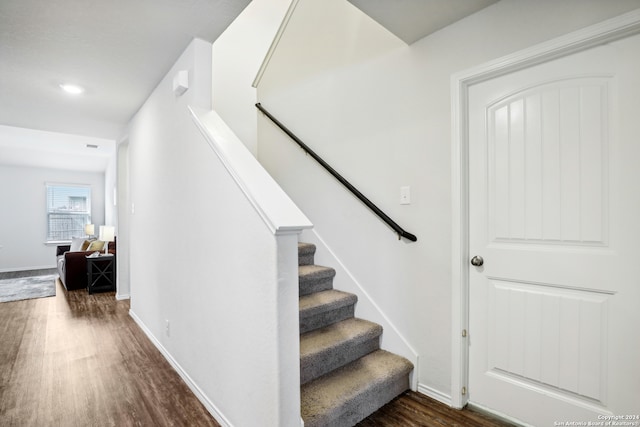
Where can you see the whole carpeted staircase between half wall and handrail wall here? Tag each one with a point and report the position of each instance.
(344, 375)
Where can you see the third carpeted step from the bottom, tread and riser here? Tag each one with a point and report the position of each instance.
(321, 309)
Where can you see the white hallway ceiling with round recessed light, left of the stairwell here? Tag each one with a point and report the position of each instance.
(119, 50)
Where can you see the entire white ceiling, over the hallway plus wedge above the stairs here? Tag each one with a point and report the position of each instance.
(119, 50)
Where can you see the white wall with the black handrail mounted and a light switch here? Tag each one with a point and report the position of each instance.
(379, 112)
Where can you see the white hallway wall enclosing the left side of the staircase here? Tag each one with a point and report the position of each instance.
(203, 260)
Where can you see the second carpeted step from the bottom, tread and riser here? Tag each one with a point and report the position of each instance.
(333, 346)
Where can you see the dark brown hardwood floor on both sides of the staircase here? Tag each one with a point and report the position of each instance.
(80, 360)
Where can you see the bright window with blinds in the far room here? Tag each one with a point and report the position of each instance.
(68, 210)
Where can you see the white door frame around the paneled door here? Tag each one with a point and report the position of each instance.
(607, 31)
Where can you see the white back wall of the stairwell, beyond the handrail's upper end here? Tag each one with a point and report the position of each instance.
(237, 56)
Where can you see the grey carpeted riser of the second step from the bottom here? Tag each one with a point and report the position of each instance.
(317, 365)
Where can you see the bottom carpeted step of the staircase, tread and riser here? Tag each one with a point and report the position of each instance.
(349, 394)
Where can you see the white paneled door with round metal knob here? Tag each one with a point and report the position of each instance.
(554, 205)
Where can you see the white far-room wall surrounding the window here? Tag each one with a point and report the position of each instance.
(23, 228)
